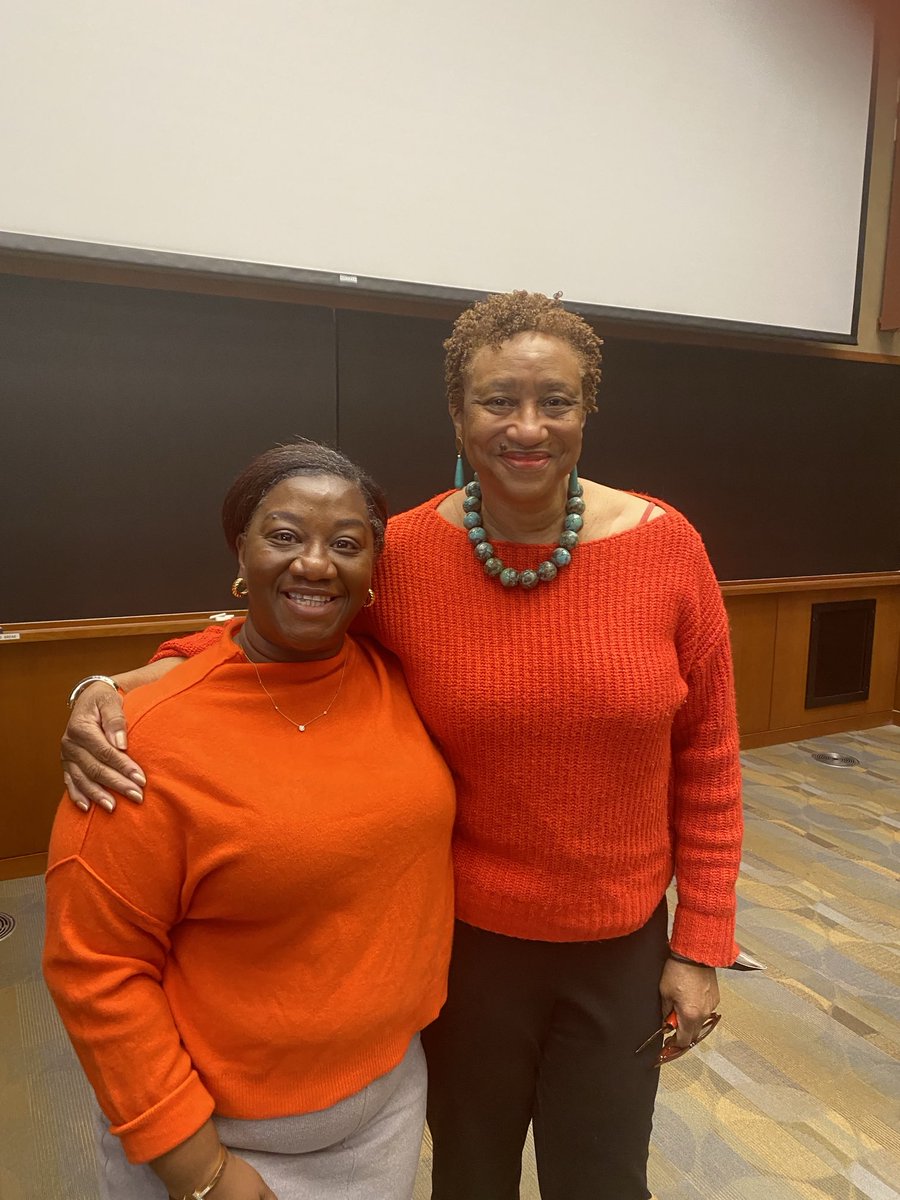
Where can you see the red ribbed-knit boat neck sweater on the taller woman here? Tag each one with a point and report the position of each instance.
(590, 725)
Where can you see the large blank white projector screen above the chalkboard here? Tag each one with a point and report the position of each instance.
(701, 160)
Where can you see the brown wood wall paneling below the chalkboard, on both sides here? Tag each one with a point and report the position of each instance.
(770, 622)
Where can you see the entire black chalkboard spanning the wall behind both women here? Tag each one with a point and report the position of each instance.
(127, 412)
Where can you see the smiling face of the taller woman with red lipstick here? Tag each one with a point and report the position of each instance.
(523, 416)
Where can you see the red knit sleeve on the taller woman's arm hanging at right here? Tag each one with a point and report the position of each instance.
(707, 815)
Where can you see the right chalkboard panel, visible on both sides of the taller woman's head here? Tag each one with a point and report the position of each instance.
(788, 465)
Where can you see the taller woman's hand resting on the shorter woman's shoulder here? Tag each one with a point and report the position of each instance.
(94, 763)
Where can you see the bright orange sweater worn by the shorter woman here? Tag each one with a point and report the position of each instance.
(269, 931)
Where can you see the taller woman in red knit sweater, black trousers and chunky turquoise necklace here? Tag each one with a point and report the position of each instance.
(568, 649)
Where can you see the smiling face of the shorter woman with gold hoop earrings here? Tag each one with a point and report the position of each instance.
(308, 557)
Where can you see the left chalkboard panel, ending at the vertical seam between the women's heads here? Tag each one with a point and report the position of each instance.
(125, 415)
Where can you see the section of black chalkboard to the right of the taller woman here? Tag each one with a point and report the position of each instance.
(788, 465)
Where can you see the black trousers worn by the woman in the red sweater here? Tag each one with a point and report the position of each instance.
(545, 1033)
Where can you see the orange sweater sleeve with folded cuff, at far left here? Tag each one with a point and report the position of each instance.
(105, 955)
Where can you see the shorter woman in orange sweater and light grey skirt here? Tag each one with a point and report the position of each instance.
(245, 964)
